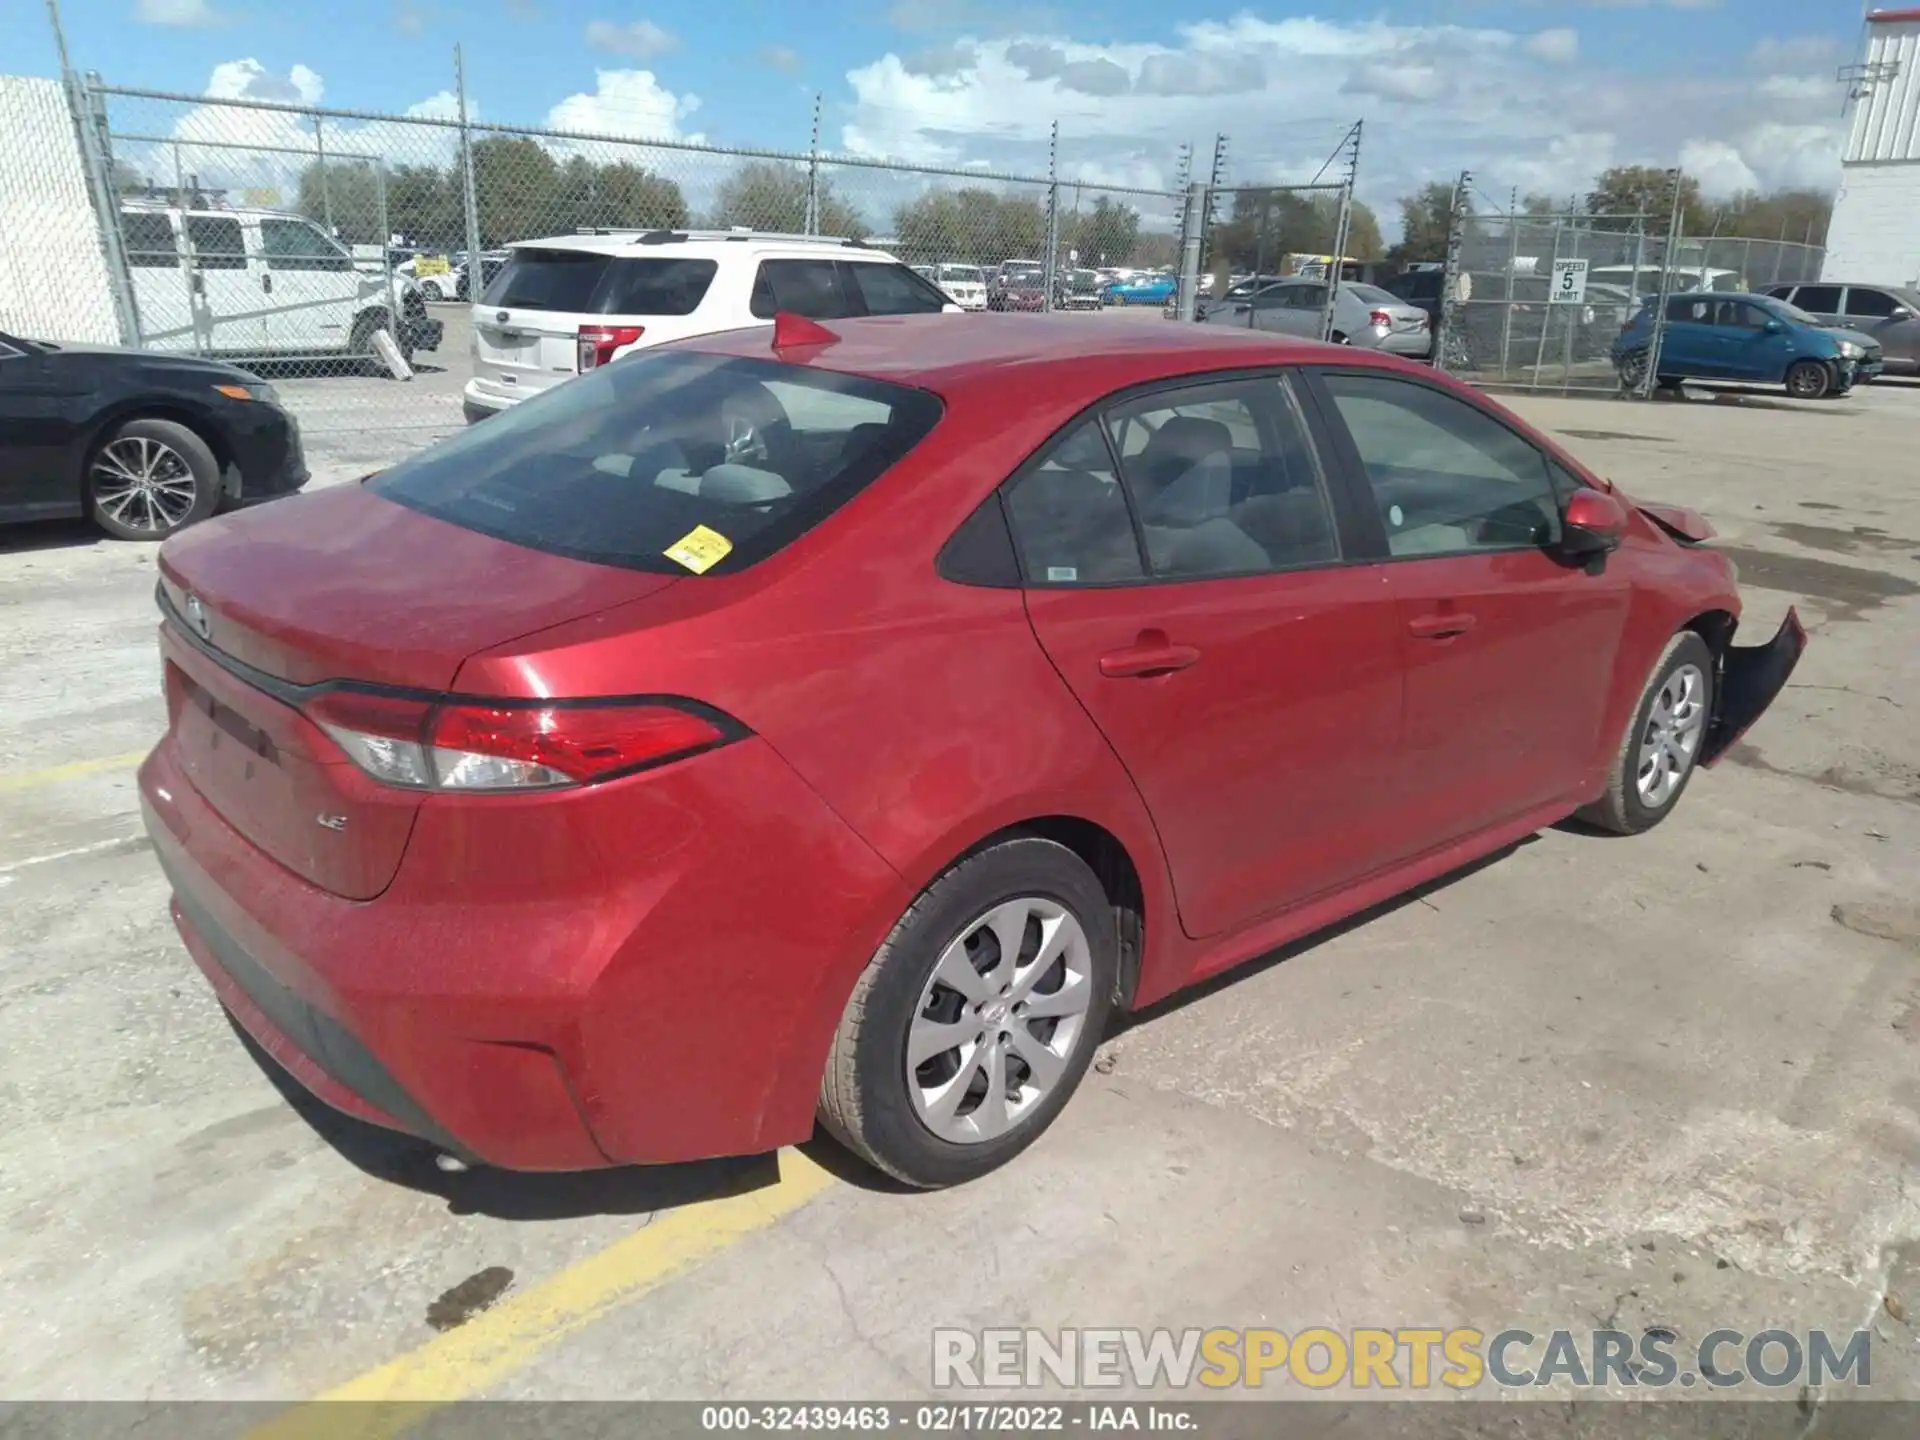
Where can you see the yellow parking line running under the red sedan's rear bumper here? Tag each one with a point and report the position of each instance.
(500, 1341)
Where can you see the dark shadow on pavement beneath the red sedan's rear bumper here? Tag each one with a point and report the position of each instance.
(514, 1195)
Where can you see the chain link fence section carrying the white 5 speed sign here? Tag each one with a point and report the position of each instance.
(1539, 300)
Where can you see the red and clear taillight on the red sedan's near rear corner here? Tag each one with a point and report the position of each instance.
(500, 746)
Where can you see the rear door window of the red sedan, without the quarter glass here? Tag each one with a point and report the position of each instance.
(1224, 481)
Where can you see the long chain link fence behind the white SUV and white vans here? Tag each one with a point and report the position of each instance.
(339, 252)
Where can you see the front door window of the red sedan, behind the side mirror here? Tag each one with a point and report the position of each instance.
(1447, 477)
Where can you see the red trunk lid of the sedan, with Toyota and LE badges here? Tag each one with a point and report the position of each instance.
(337, 587)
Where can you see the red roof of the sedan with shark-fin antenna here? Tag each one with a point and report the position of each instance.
(1074, 360)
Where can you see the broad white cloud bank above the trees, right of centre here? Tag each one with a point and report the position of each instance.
(1435, 99)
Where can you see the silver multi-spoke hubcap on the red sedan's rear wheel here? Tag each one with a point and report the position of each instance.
(999, 1020)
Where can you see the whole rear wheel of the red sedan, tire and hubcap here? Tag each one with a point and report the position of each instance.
(892, 1115)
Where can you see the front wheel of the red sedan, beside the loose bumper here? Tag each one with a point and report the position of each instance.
(1631, 805)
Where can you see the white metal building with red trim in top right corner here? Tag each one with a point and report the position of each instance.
(1877, 216)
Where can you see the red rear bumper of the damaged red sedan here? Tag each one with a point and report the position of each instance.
(512, 999)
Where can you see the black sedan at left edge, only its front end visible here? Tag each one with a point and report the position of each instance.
(137, 441)
